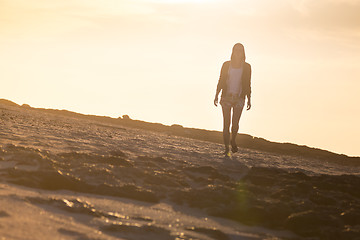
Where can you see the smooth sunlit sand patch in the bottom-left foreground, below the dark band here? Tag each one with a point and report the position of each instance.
(35, 214)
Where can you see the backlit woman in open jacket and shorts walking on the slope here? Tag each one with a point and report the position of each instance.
(235, 84)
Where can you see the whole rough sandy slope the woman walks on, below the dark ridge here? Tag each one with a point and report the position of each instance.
(64, 177)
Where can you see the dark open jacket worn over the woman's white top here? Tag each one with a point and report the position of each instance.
(245, 80)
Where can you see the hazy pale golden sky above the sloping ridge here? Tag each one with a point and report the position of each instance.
(159, 61)
